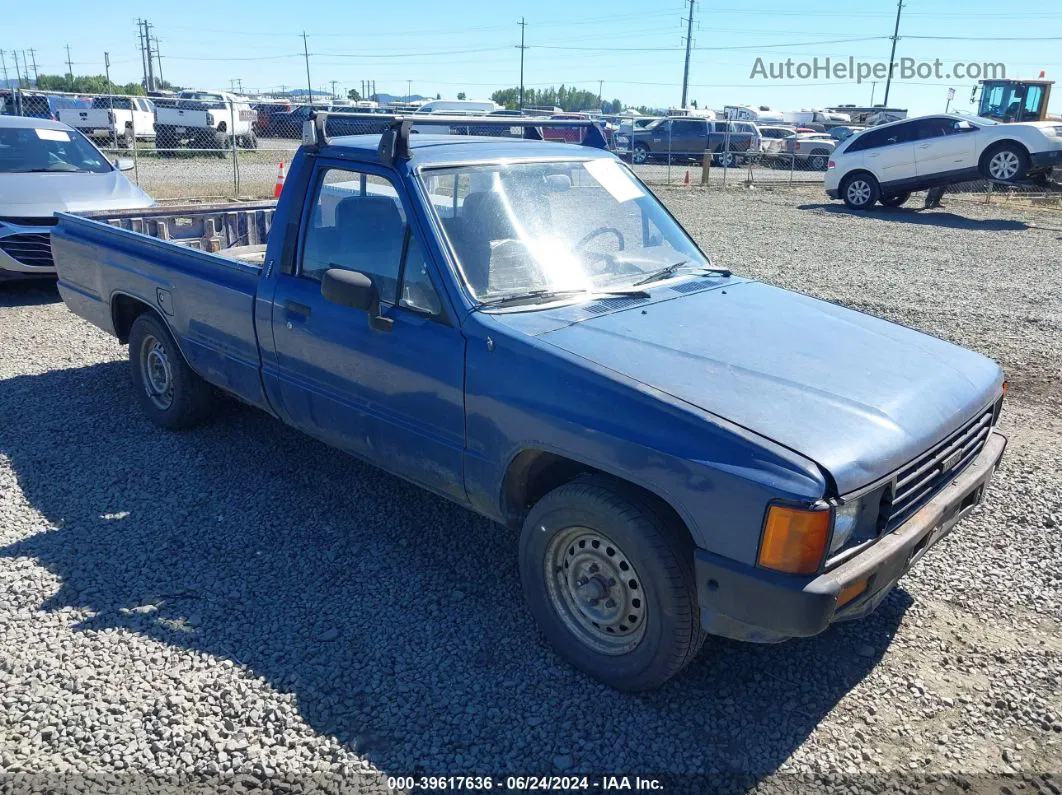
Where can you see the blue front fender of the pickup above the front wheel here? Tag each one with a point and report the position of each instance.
(522, 394)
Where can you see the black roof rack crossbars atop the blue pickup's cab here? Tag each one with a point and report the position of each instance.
(395, 141)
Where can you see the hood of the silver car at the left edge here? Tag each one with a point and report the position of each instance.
(40, 196)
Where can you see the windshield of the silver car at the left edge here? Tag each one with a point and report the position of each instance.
(27, 150)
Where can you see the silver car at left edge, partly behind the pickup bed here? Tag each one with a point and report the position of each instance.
(48, 167)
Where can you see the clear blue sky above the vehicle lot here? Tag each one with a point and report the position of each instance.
(635, 49)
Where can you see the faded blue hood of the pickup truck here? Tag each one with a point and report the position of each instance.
(859, 395)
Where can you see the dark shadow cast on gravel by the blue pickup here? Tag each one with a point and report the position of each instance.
(393, 617)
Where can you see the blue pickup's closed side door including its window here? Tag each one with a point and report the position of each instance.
(395, 397)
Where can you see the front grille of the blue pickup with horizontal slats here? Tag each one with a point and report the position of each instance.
(916, 485)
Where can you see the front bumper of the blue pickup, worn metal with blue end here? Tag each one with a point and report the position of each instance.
(747, 603)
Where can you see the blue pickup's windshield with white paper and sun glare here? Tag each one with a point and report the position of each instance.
(552, 228)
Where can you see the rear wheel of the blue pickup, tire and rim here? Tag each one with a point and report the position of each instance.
(153, 353)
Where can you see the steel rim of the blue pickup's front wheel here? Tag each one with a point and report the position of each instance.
(595, 591)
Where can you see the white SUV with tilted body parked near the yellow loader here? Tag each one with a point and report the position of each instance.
(887, 163)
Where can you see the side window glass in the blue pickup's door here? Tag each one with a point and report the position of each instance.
(357, 223)
